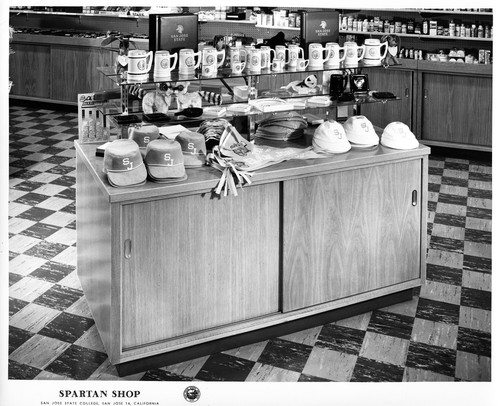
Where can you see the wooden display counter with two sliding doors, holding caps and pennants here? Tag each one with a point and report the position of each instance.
(172, 272)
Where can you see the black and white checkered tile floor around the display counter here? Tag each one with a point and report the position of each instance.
(443, 334)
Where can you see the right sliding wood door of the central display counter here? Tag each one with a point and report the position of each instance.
(350, 232)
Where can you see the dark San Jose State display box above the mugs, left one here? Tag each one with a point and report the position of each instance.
(173, 32)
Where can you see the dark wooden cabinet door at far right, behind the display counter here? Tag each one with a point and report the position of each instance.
(457, 109)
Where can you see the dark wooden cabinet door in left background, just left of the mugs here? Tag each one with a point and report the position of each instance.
(74, 71)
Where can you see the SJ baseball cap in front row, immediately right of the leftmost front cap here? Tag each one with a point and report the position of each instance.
(165, 161)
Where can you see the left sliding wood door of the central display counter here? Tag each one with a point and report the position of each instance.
(199, 262)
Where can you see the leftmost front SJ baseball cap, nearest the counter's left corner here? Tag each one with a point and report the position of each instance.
(123, 164)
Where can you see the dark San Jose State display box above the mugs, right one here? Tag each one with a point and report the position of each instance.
(318, 27)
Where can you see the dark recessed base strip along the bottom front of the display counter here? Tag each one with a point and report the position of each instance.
(200, 350)
